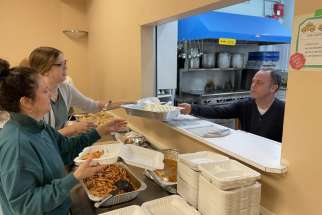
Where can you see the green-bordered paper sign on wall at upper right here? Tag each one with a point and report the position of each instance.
(309, 40)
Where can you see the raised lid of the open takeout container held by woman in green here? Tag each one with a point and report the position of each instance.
(142, 157)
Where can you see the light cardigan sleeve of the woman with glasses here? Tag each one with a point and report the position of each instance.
(83, 102)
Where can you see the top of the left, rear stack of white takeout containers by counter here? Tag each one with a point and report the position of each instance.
(193, 160)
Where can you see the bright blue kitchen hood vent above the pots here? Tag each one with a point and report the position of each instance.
(214, 25)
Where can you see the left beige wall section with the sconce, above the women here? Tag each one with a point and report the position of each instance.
(27, 24)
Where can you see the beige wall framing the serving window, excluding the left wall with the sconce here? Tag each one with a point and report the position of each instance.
(295, 193)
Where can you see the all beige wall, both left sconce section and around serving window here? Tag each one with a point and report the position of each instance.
(113, 57)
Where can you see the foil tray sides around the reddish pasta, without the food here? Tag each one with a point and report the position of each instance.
(124, 197)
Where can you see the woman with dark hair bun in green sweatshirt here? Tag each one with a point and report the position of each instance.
(33, 154)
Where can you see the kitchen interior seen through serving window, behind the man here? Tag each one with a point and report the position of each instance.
(195, 65)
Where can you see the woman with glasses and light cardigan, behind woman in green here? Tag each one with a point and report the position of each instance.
(50, 62)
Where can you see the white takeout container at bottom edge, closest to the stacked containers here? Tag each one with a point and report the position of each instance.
(173, 205)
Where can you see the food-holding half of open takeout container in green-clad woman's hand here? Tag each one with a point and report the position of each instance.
(110, 156)
